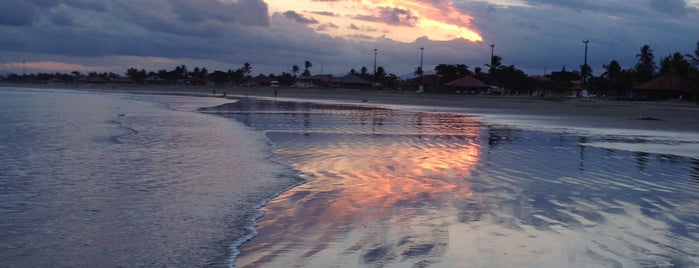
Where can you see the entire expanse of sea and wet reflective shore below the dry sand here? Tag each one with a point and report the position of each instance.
(92, 179)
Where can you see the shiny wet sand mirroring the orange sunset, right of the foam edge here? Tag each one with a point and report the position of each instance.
(398, 188)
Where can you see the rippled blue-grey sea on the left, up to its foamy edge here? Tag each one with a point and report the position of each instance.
(94, 179)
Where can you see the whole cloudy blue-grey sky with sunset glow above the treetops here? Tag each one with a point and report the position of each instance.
(537, 36)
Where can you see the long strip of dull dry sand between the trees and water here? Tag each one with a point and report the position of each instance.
(668, 115)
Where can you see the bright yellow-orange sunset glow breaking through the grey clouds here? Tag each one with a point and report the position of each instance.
(402, 21)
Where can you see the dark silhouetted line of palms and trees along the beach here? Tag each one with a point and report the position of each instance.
(613, 80)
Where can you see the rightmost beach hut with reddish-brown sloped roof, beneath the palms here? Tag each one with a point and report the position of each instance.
(663, 87)
